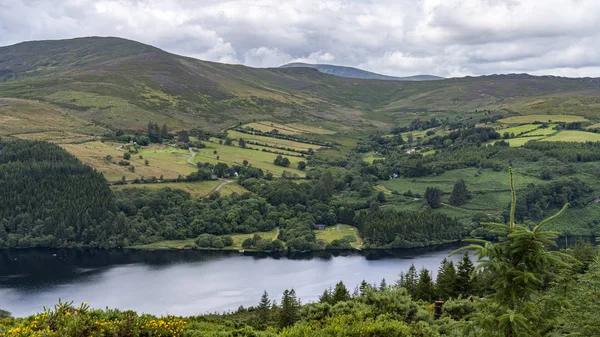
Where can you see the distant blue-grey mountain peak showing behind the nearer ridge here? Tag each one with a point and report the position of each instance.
(350, 72)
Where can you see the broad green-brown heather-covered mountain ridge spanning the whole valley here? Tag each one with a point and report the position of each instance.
(118, 83)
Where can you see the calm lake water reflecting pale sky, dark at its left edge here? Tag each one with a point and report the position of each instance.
(188, 282)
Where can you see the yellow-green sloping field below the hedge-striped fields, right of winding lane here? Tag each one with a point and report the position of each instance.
(235, 155)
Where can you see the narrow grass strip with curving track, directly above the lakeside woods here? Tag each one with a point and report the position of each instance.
(196, 189)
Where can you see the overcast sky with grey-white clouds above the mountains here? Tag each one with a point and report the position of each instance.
(394, 37)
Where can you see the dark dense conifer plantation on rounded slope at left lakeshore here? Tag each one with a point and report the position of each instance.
(49, 198)
